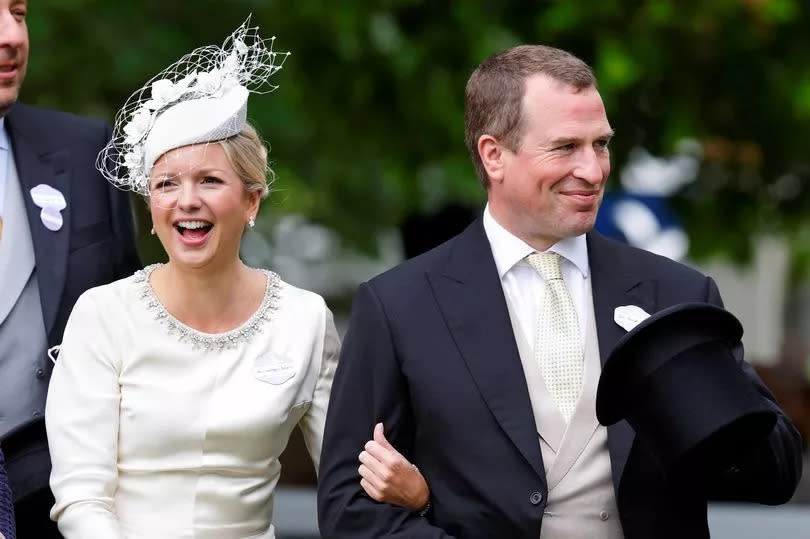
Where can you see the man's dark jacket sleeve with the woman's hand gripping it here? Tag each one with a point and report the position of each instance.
(369, 387)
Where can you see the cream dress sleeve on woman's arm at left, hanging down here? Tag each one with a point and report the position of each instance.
(81, 416)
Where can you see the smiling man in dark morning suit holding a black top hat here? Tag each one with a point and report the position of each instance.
(459, 352)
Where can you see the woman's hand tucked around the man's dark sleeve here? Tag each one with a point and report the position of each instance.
(388, 477)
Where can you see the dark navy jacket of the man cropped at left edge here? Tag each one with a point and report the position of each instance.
(94, 246)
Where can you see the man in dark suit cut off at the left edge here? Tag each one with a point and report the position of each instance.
(64, 229)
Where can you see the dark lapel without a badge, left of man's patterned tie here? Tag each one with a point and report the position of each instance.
(470, 296)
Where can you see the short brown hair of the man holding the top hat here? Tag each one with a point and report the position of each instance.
(493, 100)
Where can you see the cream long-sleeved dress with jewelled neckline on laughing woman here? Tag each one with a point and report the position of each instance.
(159, 431)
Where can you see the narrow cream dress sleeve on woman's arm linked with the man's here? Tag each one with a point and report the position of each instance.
(313, 421)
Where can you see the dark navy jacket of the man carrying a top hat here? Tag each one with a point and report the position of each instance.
(431, 353)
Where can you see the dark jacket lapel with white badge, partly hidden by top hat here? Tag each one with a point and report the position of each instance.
(615, 284)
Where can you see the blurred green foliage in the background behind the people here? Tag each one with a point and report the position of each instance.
(367, 125)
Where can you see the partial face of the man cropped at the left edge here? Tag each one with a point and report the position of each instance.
(13, 50)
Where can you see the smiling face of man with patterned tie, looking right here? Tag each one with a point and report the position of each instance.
(551, 186)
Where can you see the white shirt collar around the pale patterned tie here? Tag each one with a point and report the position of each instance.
(508, 249)
